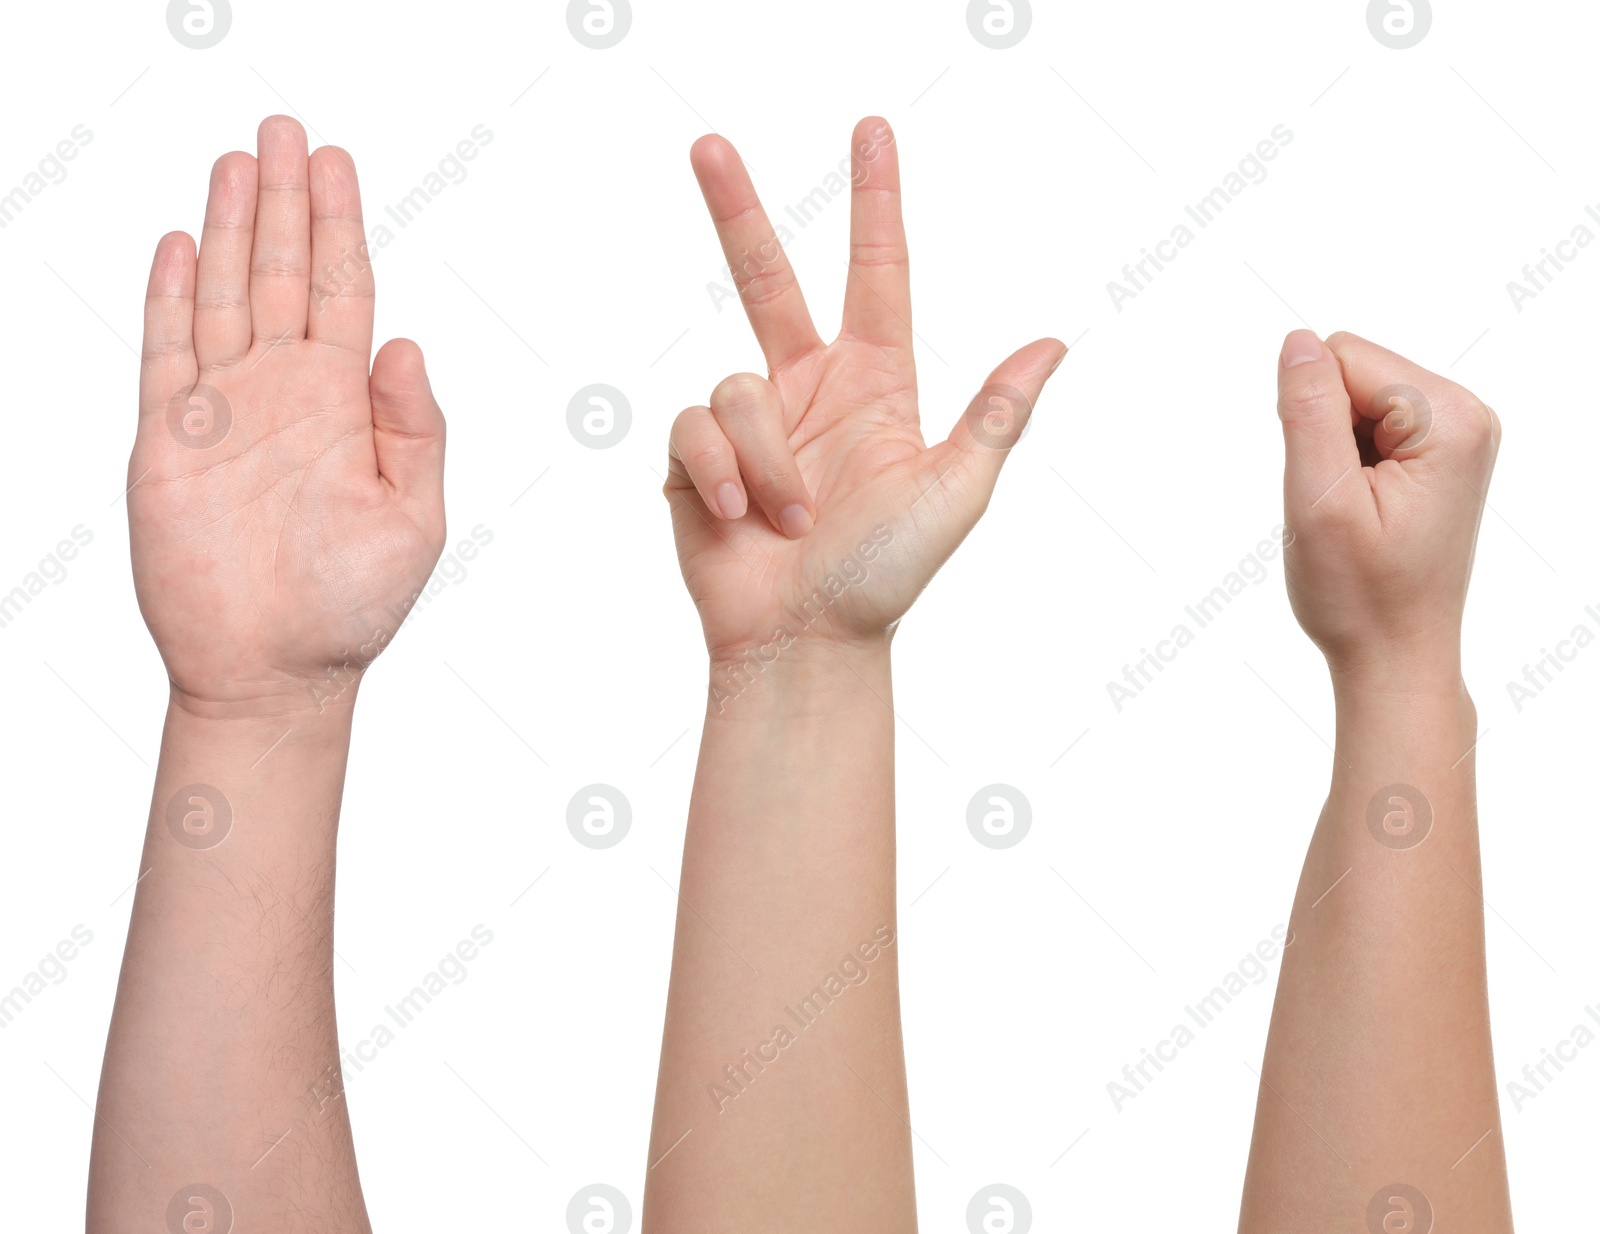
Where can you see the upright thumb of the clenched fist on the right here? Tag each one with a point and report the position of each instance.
(1321, 455)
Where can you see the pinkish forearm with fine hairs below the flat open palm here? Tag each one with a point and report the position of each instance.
(223, 1065)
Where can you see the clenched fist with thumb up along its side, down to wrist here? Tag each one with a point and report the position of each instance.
(1385, 486)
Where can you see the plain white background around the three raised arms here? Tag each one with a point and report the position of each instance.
(577, 252)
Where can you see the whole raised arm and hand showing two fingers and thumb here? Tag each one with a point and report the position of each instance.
(809, 516)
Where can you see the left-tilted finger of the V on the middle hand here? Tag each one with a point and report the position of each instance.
(761, 268)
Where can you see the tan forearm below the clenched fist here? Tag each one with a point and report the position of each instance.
(1378, 1068)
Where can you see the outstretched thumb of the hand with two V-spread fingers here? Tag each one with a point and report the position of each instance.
(994, 422)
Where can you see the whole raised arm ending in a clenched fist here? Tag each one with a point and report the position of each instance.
(1378, 1108)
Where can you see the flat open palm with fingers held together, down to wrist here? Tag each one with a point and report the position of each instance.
(286, 508)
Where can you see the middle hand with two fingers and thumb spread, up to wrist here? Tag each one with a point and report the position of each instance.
(806, 505)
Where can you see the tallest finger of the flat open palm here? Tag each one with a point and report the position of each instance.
(281, 260)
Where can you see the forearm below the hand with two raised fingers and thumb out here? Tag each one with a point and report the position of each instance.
(782, 1100)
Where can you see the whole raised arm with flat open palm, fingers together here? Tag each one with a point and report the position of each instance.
(278, 531)
